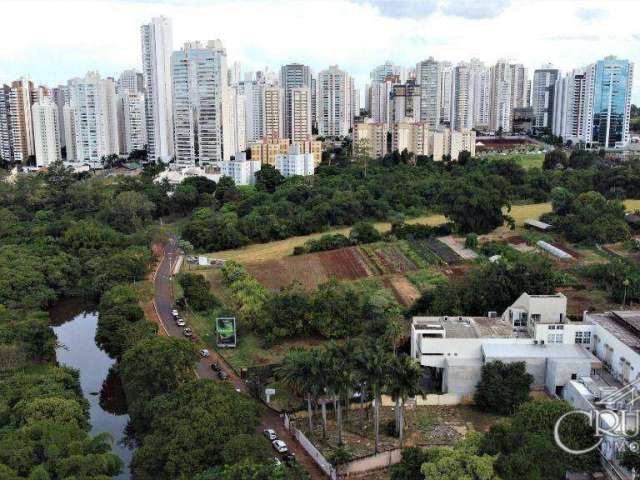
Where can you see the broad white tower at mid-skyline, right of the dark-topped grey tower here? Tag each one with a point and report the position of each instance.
(335, 104)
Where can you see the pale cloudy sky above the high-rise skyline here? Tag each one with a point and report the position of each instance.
(53, 40)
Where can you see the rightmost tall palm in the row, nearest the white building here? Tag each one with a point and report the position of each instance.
(402, 382)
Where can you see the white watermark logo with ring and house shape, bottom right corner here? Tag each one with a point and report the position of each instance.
(613, 417)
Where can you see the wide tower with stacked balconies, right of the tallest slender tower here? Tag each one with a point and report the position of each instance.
(199, 74)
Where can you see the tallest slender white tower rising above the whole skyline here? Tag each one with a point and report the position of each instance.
(157, 45)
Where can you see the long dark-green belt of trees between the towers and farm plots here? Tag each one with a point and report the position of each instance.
(471, 194)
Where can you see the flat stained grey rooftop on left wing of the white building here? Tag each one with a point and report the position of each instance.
(468, 327)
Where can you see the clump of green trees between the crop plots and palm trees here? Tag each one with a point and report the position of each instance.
(333, 310)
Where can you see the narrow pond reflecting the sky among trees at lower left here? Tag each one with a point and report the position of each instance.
(75, 323)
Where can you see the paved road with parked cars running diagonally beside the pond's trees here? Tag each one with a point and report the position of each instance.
(164, 304)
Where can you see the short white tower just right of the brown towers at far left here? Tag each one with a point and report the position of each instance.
(46, 133)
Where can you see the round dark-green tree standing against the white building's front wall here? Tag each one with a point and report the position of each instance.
(503, 387)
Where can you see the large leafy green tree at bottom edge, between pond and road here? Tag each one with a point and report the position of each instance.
(196, 427)
